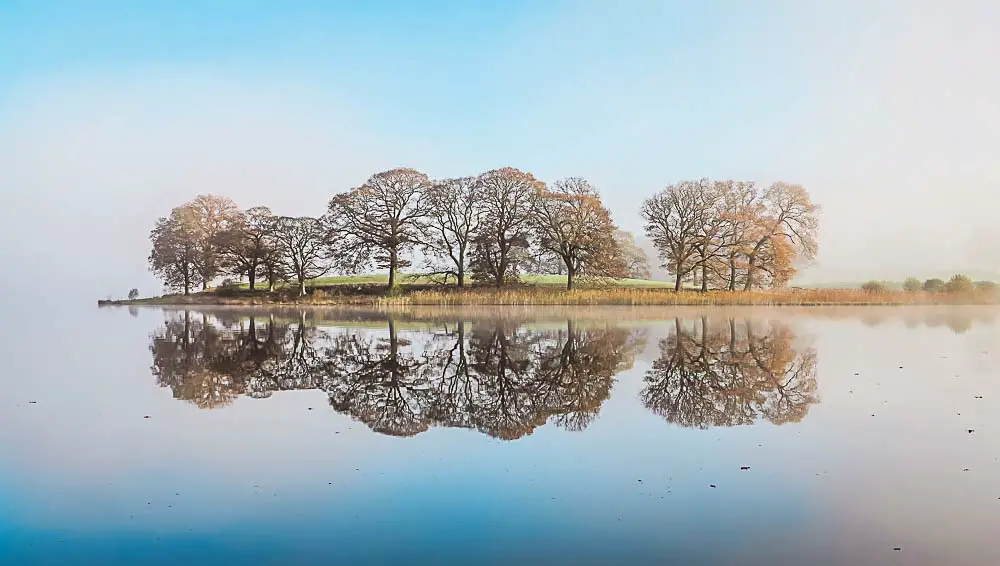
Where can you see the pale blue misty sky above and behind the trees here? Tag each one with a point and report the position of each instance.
(112, 112)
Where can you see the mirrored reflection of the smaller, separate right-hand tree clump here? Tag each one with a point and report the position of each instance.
(729, 374)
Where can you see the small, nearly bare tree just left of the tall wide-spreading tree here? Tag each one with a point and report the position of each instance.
(303, 246)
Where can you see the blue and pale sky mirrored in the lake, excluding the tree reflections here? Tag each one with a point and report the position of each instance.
(82, 474)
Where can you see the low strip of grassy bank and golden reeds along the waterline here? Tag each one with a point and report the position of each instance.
(537, 296)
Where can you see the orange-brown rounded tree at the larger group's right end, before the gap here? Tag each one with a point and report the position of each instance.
(573, 225)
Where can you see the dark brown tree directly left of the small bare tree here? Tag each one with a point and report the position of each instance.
(248, 242)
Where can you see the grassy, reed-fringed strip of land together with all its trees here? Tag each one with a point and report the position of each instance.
(507, 238)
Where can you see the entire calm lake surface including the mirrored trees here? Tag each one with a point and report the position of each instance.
(826, 436)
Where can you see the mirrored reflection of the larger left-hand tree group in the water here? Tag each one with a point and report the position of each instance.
(500, 378)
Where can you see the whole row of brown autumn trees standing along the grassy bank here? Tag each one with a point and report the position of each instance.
(490, 229)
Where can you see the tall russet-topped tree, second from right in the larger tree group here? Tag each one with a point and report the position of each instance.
(507, 197)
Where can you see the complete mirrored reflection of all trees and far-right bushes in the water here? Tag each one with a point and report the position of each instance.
(501, 377)
